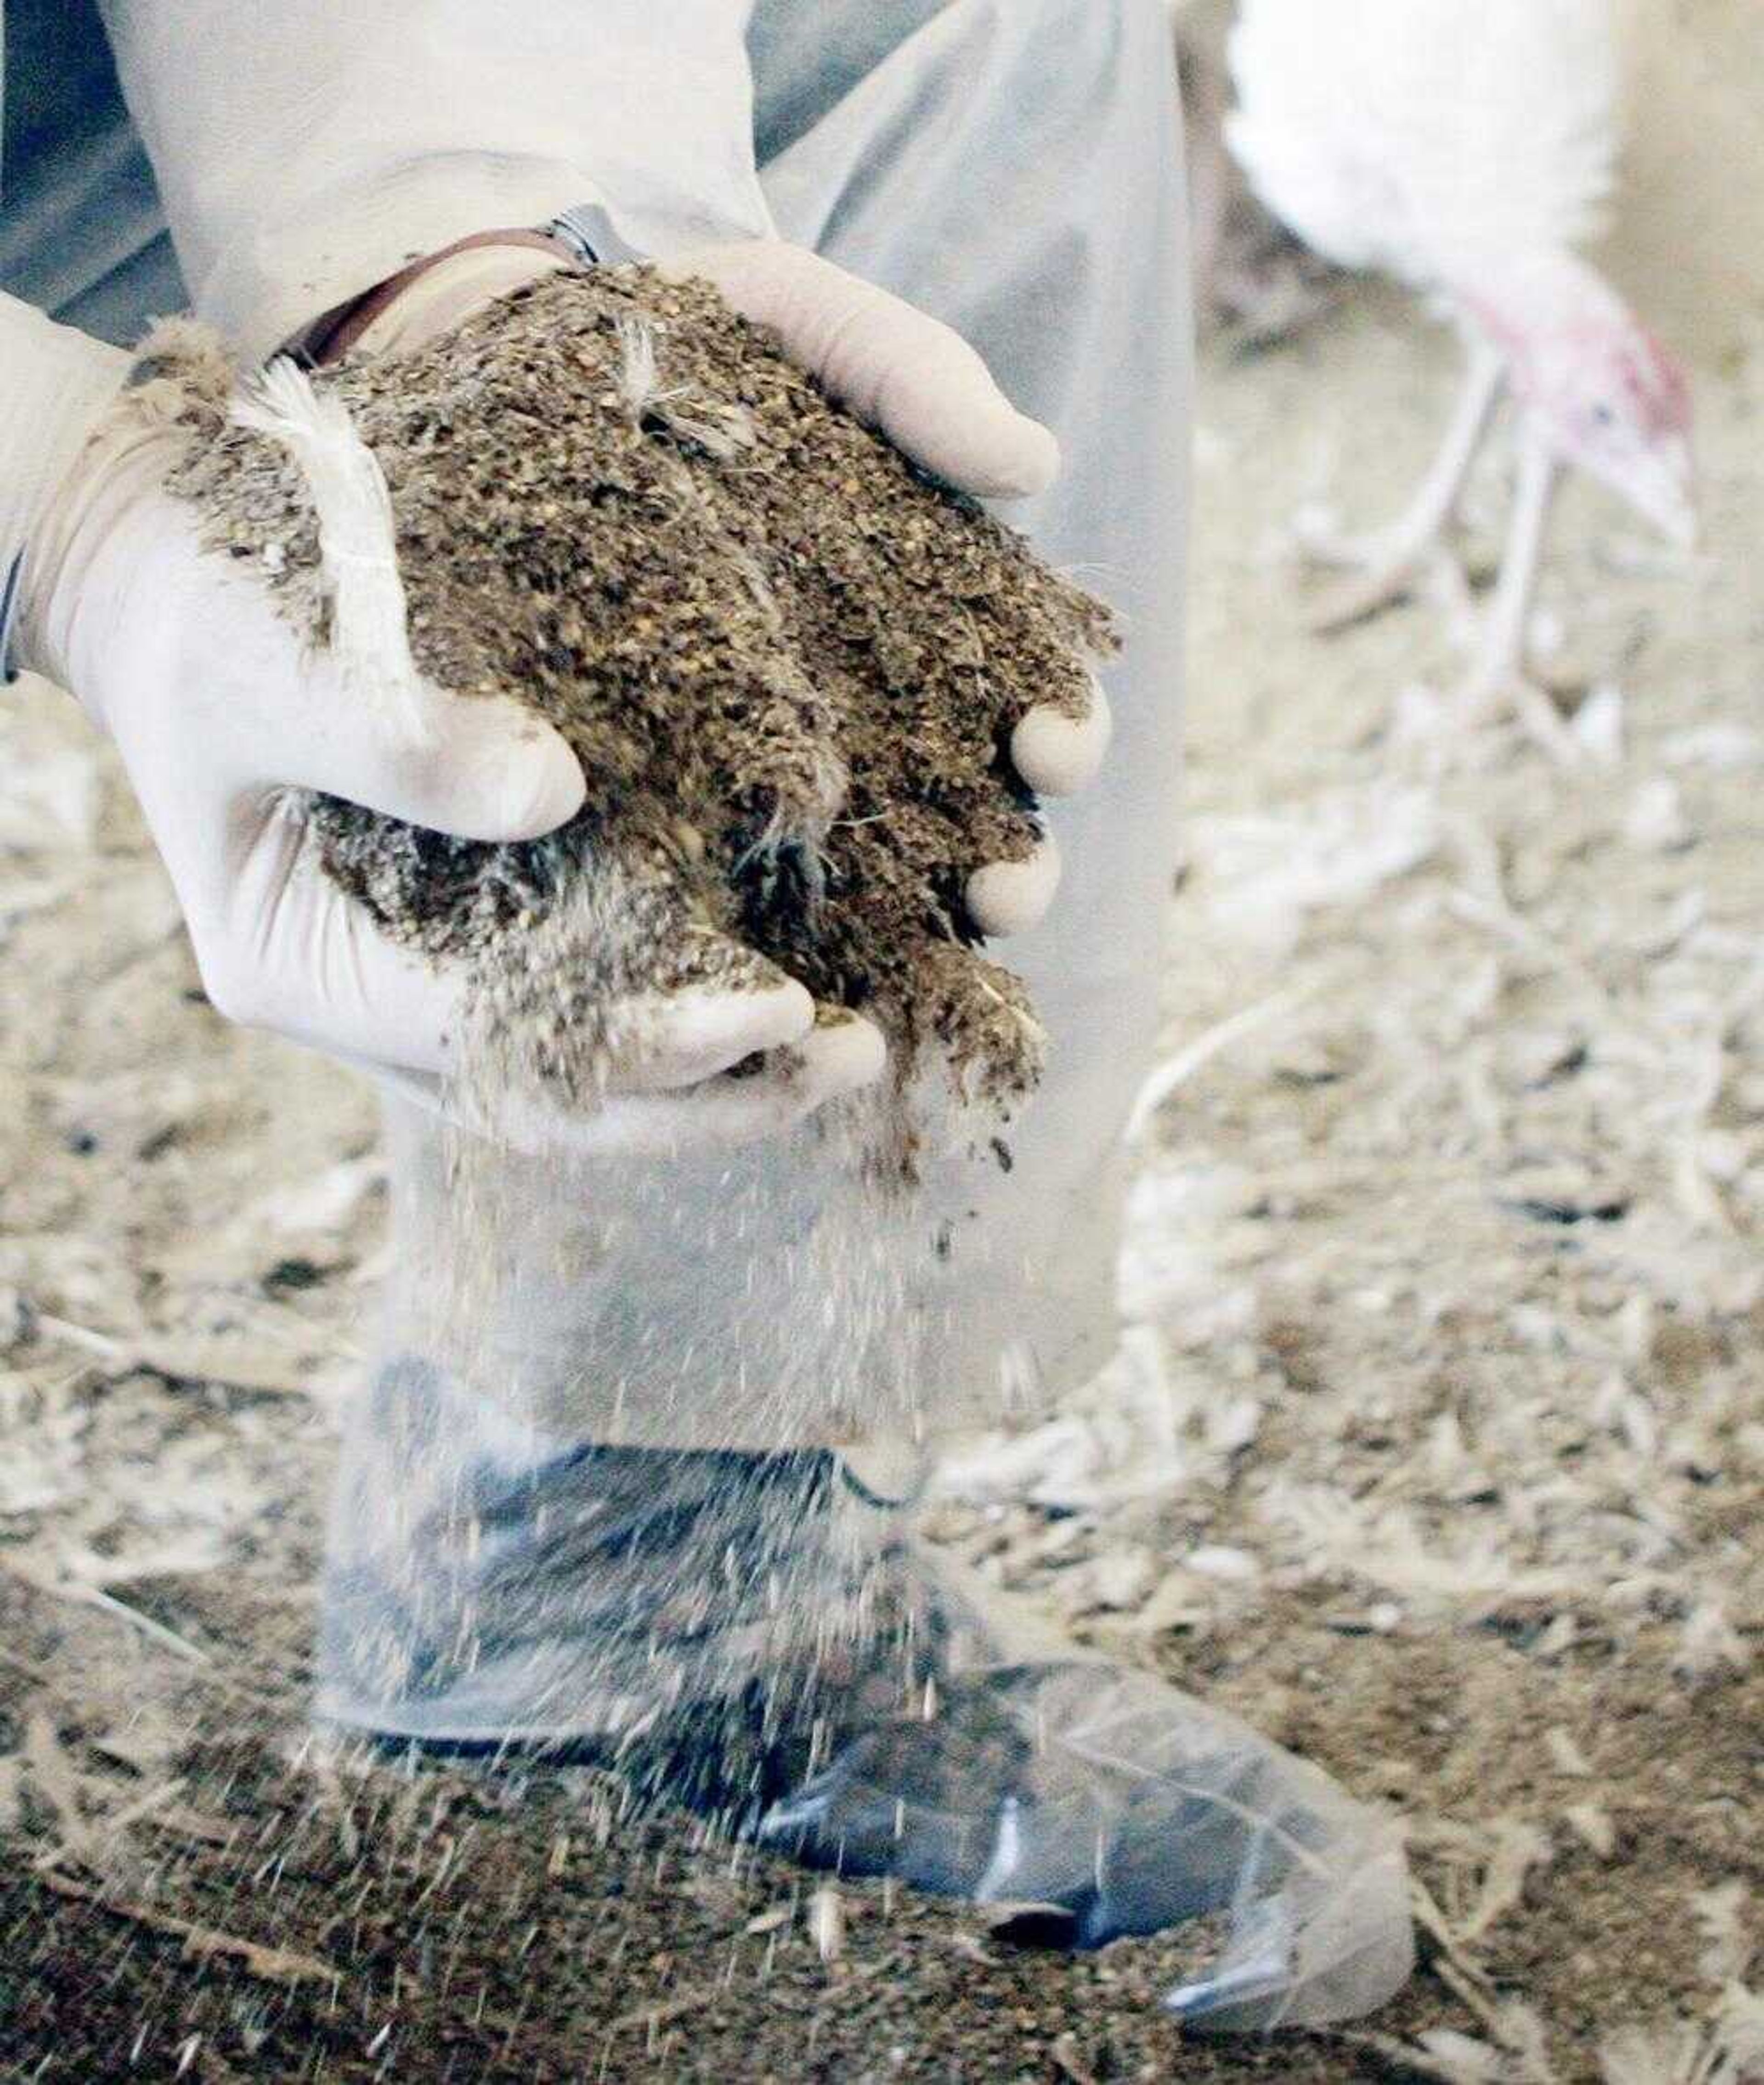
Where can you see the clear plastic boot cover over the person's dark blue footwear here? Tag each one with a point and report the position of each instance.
(768, 1640)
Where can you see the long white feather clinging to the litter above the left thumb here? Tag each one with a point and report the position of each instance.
(358, 545)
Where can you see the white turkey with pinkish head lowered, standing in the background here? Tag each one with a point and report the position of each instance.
(1469, 149)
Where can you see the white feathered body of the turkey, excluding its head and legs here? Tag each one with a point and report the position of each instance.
(1429, 137)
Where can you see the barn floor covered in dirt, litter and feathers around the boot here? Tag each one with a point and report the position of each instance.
(1436, 1446)
